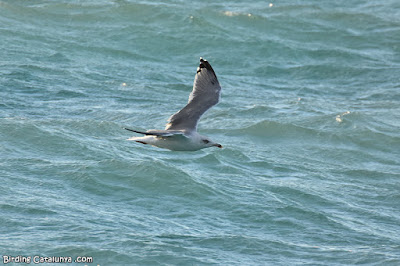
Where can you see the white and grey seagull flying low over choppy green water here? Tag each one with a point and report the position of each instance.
(180, 133)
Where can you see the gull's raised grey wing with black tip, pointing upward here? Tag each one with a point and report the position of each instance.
(205, 94)
